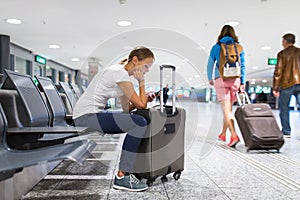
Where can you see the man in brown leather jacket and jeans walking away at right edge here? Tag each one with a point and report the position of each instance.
(286, 79)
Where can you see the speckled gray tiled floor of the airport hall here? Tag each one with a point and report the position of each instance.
(212, 170)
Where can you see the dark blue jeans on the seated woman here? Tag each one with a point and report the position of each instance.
(115, 123)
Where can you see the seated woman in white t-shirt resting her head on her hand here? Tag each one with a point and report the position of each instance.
(117, 81)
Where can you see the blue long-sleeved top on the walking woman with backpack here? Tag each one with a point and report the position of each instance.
(214, 57)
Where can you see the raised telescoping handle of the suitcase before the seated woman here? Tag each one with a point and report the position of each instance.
(162, 67)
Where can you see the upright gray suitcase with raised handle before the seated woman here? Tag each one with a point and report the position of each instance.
(162, 150)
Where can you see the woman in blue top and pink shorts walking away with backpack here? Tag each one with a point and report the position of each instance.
(228, 58)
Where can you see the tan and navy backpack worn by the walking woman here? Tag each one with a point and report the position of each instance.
(229, 62)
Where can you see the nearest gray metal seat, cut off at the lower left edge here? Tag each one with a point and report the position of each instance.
(14, 160)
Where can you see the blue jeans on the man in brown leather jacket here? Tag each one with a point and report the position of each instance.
(284, 100)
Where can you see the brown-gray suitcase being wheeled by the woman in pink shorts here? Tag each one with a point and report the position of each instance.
(258, 125)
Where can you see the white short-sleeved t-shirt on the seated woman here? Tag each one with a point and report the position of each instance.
(101, 88)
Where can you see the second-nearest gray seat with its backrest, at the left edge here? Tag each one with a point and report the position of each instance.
(20, 132)
